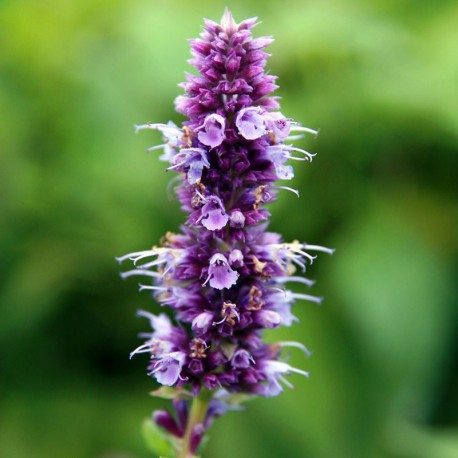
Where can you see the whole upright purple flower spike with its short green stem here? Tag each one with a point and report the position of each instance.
(223, 279)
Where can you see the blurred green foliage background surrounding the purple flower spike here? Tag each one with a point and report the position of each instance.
(379, 79)
